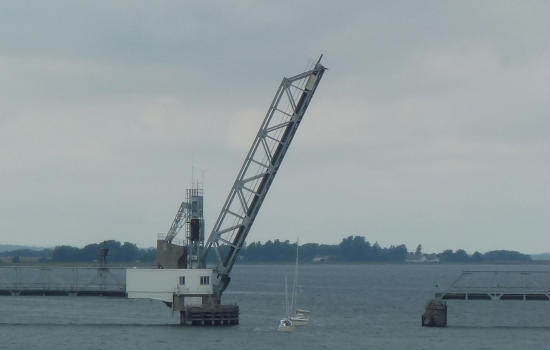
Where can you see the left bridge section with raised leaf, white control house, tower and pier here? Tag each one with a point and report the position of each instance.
(182, 279)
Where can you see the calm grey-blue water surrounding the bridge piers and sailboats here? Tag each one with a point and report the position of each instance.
(353, 306)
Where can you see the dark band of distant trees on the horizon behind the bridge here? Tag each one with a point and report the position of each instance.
(352, 249)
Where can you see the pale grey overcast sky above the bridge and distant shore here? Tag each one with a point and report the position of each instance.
(431, 126)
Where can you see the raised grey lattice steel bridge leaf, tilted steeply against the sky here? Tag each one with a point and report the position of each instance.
(259, 169)
